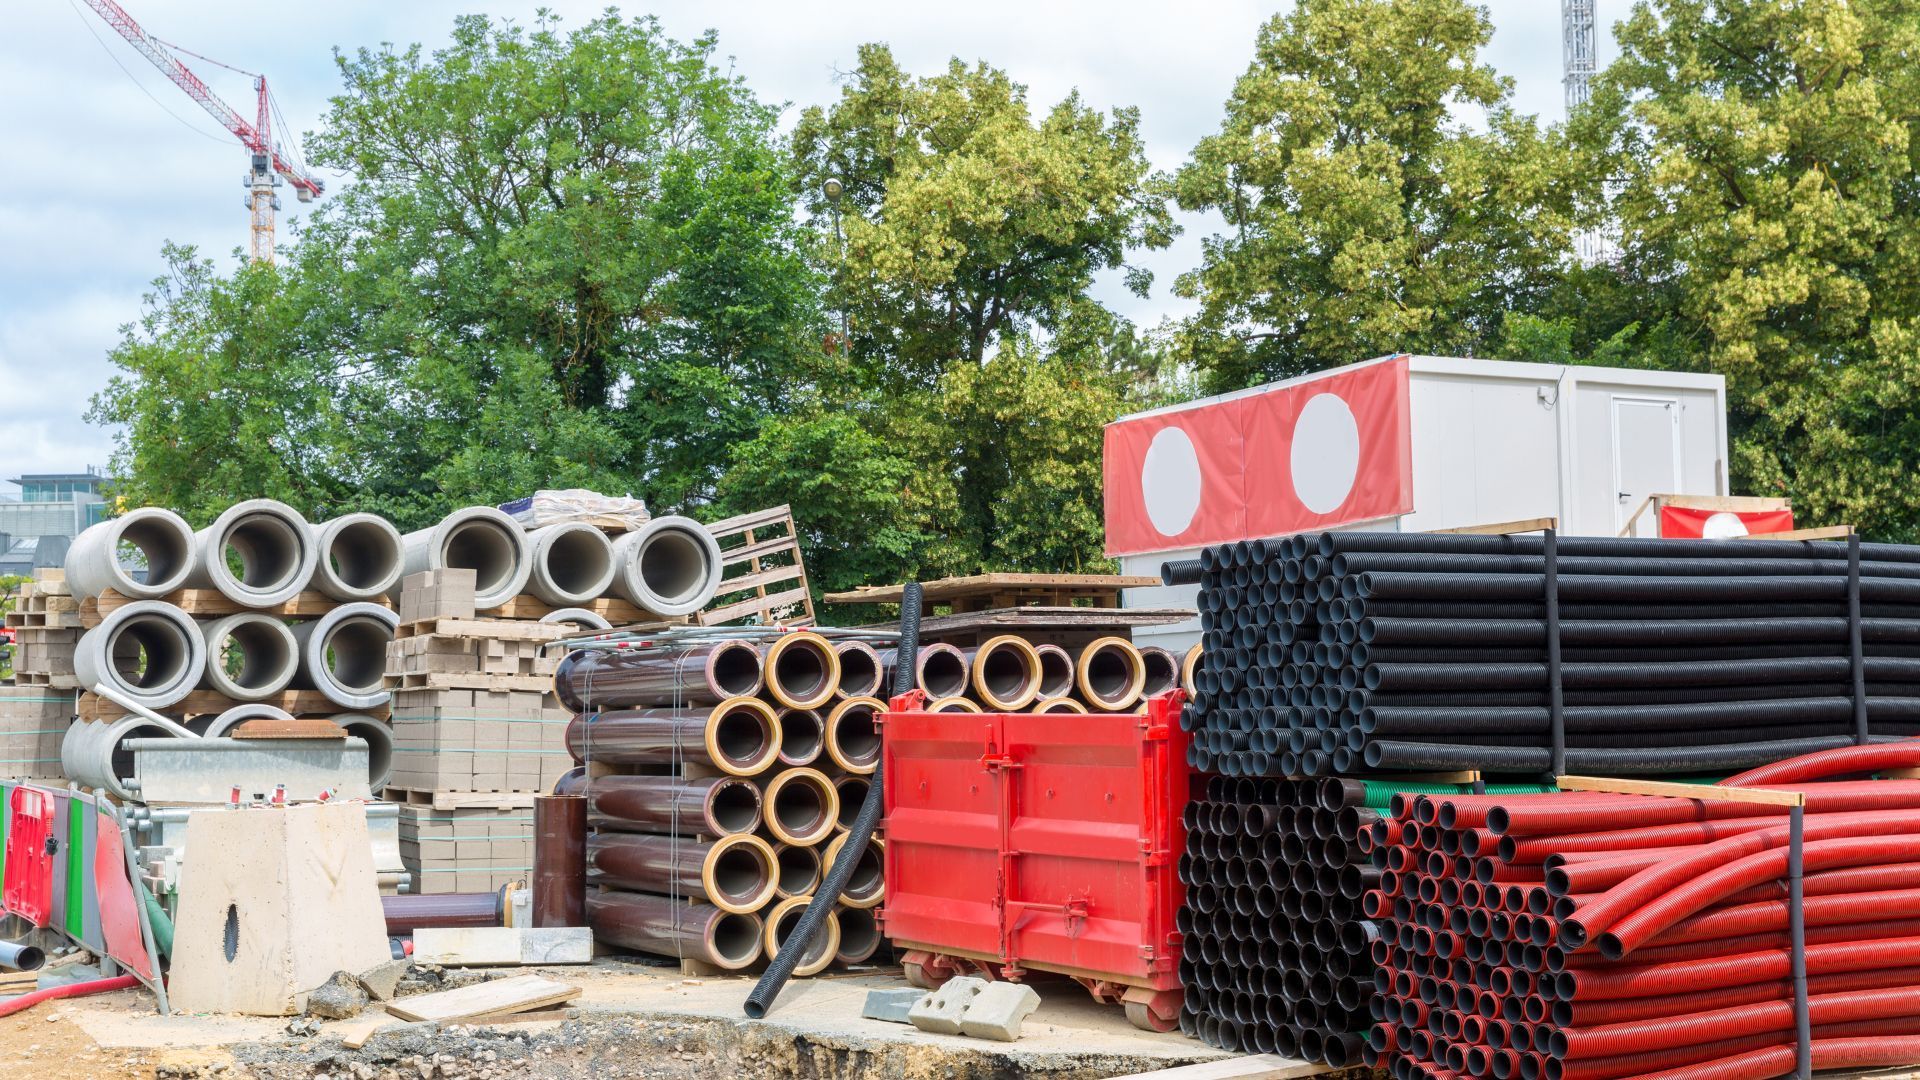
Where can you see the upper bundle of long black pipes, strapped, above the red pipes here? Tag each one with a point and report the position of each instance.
(1347, 652)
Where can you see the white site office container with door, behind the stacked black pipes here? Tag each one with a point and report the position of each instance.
(1499, 441)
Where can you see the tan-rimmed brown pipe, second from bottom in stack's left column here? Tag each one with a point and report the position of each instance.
(734, 873)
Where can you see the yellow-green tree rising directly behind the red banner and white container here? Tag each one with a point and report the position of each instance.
(1366, 212)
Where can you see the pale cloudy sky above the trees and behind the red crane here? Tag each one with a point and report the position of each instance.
(95, 174)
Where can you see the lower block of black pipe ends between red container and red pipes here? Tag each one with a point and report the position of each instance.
(1276, 950)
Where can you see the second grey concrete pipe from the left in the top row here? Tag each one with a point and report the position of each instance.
(258, 554)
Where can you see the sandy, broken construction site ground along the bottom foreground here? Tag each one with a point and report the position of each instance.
(629, 1023)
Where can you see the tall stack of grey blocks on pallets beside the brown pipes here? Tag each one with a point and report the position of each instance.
(477, 735)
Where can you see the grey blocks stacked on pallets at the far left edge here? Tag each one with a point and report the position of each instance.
(41, 704)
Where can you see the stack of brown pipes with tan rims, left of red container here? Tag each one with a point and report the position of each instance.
(719, 781)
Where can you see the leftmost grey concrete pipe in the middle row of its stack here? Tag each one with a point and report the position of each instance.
(151, 652)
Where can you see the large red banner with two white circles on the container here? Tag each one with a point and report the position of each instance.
(1307, 454)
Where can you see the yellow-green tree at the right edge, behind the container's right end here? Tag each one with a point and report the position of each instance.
(1767, 203)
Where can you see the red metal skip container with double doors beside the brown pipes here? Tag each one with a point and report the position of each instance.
(1040, 843)
